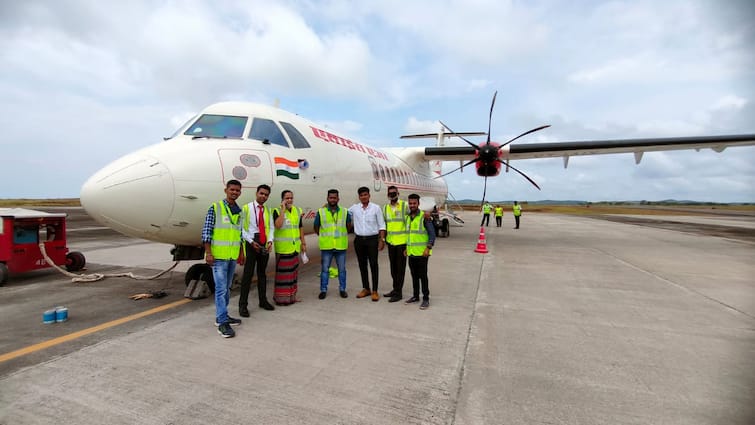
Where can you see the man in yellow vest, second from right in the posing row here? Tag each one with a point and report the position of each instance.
(395, 213)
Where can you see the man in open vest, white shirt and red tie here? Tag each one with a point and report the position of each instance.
(257, 231)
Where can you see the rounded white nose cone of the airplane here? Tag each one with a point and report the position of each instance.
(133, 195)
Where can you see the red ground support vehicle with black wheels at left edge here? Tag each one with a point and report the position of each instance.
(21, 230)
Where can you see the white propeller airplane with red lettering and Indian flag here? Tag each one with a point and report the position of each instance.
(162, 192)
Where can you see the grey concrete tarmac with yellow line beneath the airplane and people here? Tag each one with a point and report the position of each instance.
(567, 320)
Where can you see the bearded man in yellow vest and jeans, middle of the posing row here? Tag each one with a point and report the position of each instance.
(332, 224)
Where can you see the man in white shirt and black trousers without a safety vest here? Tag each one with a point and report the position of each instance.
(369, 227)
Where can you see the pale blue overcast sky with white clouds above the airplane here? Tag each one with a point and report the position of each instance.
(85, 82)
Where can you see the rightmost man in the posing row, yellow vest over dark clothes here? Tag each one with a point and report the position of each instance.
(419, 247)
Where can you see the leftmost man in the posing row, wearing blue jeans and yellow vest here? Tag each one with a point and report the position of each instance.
(221, 236)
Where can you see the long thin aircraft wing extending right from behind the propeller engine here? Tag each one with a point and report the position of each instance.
(595, 147)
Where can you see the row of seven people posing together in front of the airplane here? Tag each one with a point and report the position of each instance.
(245, 235)
